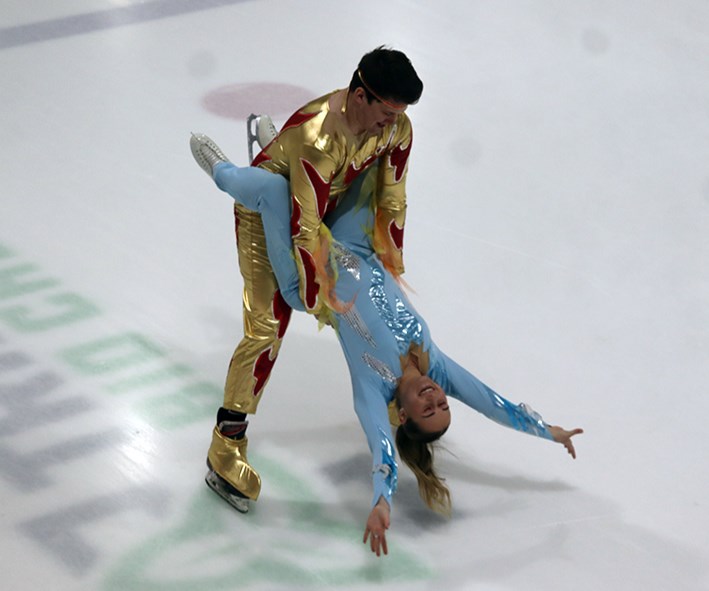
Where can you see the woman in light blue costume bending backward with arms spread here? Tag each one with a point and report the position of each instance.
(399, 376)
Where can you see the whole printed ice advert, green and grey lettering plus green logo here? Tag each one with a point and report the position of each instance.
(54, 343)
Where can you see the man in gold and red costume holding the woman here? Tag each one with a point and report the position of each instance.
(320, 150)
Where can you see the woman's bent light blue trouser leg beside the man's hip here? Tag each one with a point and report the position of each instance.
(268, 194)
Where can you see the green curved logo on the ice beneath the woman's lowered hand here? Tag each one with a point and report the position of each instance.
(286, 543)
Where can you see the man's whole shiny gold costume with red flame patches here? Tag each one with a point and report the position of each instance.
(321, 158)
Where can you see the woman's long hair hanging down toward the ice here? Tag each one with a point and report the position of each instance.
(415, 447)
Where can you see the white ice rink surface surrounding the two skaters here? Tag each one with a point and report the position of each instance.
(557, 239)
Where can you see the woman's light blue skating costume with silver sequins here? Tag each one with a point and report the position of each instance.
(378, 327)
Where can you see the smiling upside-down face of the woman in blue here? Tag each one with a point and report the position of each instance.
(425, 402)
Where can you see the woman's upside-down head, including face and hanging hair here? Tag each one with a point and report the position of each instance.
(424, 416)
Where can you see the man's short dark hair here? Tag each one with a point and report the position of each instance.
(387, 74)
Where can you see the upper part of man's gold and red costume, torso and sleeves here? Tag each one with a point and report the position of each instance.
(321, 158)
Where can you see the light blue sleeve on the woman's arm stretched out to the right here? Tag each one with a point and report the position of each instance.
(464, 386)
